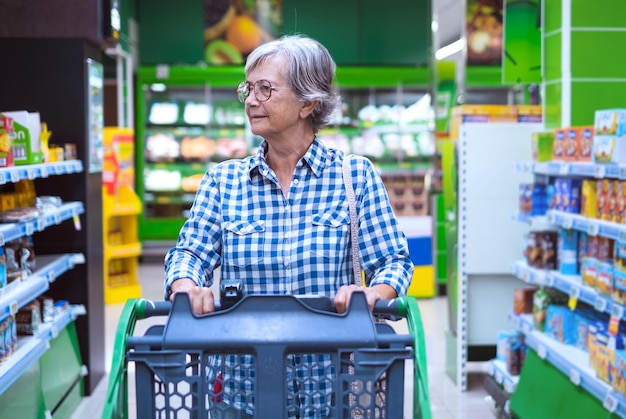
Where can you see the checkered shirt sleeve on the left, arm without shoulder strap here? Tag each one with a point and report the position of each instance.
(198, 248)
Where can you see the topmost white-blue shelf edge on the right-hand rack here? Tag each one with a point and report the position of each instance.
(583, 169)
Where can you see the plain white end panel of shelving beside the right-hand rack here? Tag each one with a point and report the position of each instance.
(487, 239)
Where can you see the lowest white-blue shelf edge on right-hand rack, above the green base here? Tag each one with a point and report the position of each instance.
(572, 362)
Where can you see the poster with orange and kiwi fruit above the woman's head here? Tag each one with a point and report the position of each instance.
(233, 28)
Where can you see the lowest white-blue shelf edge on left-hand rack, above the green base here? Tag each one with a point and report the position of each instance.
(31, 348)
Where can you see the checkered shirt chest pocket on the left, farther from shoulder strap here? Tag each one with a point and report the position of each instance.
(243, 242)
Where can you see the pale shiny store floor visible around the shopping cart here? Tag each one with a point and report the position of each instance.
(447, 402)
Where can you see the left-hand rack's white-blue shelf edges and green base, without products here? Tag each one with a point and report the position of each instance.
(32, 351)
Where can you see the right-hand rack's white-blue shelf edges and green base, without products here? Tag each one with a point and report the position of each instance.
(571, 363)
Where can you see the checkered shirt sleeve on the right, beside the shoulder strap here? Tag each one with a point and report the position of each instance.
(383, 247)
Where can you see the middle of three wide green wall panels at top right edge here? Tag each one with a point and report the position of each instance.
(593, 54)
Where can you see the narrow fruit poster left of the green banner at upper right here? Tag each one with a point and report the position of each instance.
(484, 32)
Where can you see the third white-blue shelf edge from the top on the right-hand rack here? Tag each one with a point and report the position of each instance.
(569, 284)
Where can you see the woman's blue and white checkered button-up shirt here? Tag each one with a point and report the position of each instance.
(299, 244)
